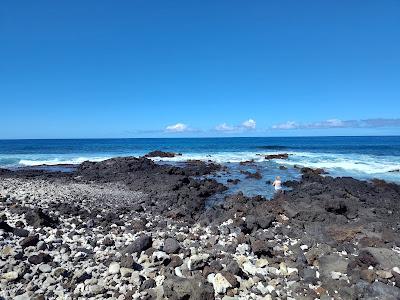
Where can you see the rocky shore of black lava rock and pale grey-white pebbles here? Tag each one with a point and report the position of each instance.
(128, 228)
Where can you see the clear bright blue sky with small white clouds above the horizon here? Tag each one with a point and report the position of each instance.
(199, 68)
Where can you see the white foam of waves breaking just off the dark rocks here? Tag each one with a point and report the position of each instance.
(340, 164)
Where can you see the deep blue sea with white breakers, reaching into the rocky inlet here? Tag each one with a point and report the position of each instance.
(359, 157)
